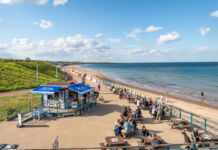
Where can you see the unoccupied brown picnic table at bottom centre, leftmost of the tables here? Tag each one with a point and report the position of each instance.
(115, 141)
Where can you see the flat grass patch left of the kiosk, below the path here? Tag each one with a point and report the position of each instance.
(18, 102)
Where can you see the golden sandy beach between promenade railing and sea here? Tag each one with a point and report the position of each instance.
(200, 109)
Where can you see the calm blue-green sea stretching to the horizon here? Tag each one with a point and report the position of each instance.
(185, 80)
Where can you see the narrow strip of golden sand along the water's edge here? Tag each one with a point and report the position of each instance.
(178, 102)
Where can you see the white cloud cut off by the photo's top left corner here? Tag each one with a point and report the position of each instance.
(11, 2)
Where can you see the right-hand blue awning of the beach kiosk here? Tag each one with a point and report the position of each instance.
(80, 88)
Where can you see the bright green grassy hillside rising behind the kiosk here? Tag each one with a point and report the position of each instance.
(19, 74)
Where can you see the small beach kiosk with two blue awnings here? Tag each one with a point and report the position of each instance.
(69, 100)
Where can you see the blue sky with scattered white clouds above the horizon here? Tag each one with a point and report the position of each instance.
(110, 30)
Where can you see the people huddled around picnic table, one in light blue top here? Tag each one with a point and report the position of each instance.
(126, 124)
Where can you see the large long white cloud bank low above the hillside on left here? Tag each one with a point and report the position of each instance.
(64, 48)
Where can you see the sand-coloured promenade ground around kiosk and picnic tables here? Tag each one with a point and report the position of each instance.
(87, 130)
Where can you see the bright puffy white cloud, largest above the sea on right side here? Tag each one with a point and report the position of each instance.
(168, 38)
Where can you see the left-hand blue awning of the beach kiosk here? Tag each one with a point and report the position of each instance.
(46, 90)
